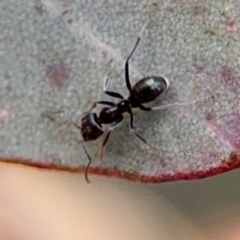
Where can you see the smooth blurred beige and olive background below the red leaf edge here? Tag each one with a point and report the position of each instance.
(40, 204)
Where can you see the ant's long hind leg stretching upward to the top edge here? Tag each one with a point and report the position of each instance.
(135, 47)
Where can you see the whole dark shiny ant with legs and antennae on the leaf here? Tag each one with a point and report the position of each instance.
(144, 91)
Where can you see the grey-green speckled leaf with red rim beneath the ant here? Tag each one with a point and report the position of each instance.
(55, 55)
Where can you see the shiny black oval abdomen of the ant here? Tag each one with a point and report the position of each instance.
(148, 89)
